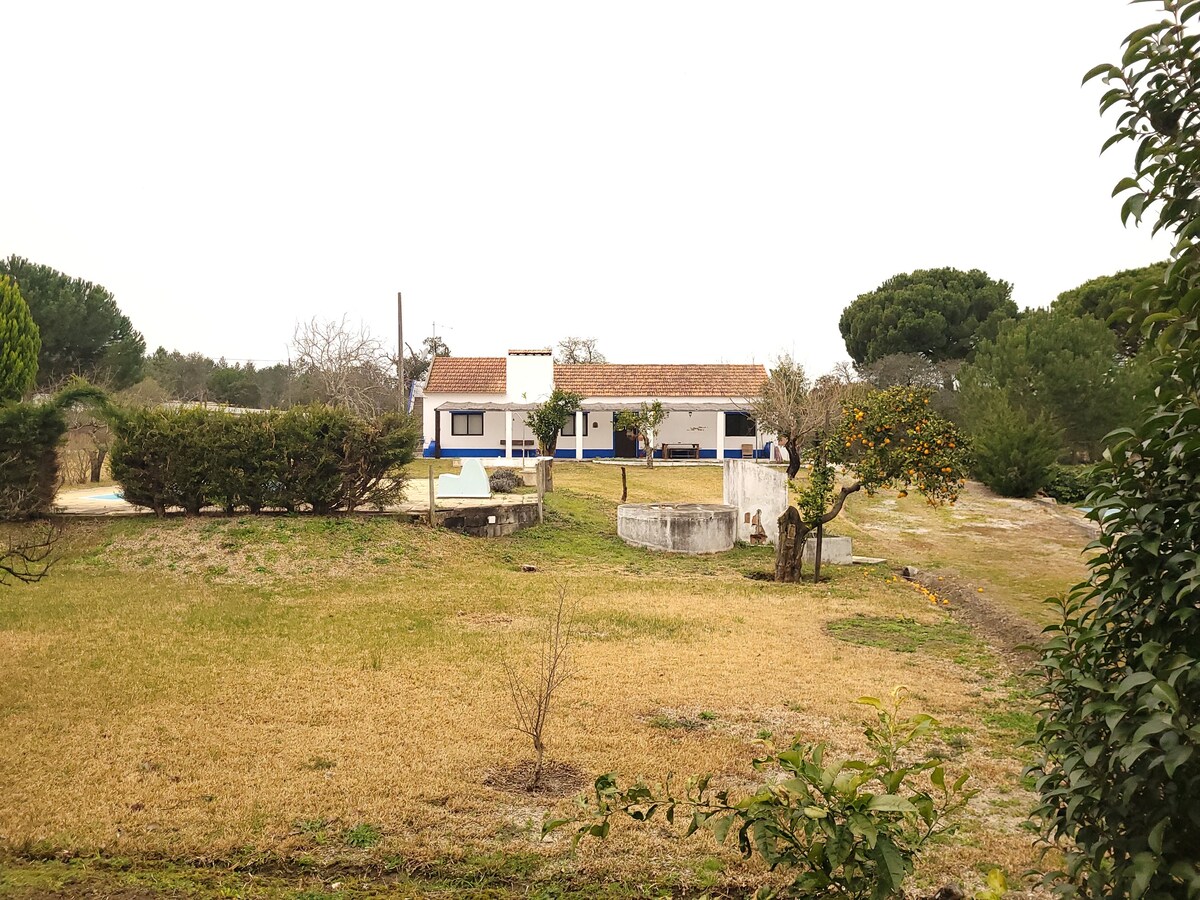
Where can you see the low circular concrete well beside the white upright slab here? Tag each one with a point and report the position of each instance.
(679, 527)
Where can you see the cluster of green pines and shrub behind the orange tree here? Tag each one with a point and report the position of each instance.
(1034, 389)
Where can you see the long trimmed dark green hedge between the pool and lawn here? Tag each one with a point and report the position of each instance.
(319, 459)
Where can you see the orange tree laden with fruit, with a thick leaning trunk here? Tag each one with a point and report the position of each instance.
(889, 440)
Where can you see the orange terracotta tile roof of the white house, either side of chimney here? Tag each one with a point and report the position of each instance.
(487, 375)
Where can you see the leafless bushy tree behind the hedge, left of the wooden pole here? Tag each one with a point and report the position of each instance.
(351, 368)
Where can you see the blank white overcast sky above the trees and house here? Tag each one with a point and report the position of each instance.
(686, 182)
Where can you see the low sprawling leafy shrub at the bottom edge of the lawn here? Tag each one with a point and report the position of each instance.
(841, 829)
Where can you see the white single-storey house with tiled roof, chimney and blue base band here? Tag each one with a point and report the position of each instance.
(477, 406)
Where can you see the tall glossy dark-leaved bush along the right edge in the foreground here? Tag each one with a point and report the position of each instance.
(1119, 728)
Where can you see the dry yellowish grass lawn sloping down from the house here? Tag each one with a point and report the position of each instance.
(331, 693)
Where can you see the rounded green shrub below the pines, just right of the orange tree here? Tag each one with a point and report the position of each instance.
(1015, 453)
